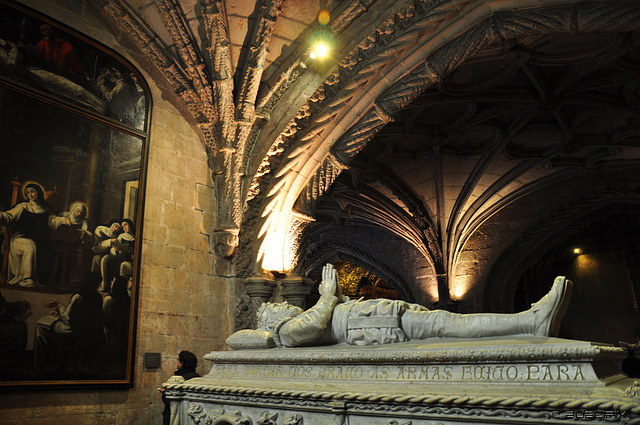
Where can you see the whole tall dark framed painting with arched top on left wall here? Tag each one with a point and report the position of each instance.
(73, 134)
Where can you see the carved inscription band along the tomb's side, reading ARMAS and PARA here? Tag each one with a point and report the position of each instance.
(531, 373)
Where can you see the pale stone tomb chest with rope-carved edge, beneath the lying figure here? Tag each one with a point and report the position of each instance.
(437, 381)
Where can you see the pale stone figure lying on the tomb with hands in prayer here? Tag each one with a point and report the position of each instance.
(335, 319)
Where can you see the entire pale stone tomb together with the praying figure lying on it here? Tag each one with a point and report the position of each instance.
(390, 362)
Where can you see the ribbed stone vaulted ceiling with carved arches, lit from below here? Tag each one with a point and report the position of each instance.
(438, 147)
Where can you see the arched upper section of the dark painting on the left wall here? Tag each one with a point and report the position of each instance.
(38, 54)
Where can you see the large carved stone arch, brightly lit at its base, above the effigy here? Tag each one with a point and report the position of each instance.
(393, 66)
